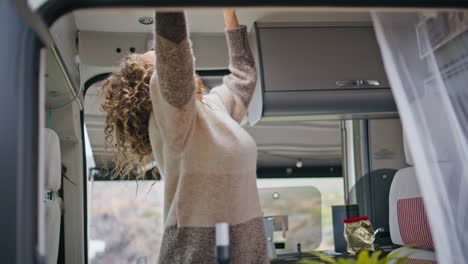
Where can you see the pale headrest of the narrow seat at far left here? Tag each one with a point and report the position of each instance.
(53, 162)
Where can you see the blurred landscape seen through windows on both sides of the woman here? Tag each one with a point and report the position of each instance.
(126, 217)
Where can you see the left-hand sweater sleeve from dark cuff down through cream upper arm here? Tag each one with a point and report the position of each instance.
(172, 86)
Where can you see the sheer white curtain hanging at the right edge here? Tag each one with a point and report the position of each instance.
(426, 59)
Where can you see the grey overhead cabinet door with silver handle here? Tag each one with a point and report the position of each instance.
(316, 58)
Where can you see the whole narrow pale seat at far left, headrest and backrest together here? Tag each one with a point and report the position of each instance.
(53, 177)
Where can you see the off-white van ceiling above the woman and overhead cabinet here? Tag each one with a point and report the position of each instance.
(206, 20)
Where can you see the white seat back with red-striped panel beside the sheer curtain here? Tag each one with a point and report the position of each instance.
(408, 220)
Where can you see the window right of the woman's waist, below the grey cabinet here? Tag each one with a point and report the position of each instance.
(307, 203)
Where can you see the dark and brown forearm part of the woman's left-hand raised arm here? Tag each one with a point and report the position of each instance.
(174, 59)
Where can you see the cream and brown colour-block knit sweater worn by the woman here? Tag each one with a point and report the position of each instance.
(208, 162)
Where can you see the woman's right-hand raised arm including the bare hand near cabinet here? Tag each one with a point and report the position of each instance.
(243, 77)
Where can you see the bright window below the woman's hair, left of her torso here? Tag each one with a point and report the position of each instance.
(125, 221)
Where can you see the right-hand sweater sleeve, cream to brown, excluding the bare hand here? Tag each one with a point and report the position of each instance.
(238, 87)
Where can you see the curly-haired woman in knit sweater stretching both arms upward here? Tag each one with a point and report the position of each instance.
(207, 161)
